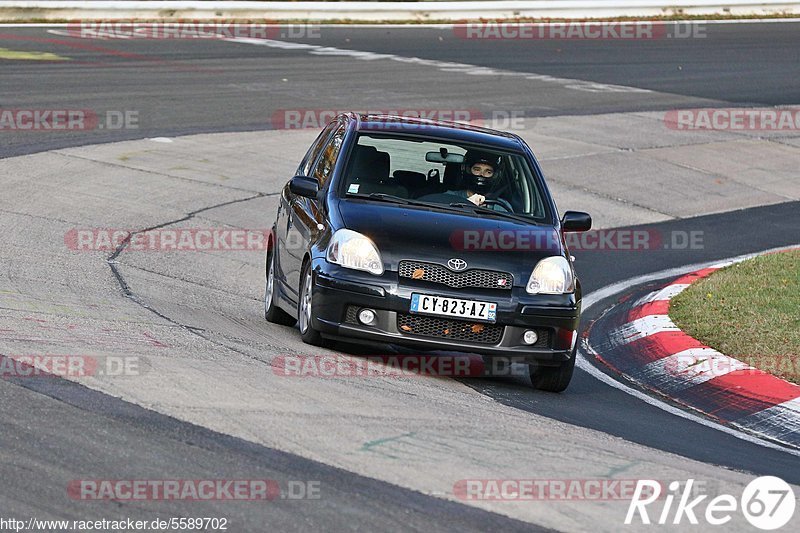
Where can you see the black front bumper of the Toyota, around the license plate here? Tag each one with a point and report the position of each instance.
(339, 293)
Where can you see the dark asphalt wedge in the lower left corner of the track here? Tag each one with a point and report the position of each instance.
(78, 430)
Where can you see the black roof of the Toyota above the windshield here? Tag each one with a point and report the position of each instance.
(438, 129)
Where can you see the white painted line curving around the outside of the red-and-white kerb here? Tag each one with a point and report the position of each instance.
(615, 288)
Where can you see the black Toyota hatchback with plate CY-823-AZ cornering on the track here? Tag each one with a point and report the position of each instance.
(430, 235)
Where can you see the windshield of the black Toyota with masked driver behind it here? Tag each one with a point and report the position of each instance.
(386, 168)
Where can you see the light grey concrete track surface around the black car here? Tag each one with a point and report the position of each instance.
(205, 354)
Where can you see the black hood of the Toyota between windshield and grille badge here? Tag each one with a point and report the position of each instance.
(486, 242)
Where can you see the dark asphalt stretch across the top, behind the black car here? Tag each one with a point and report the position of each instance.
(180, 87)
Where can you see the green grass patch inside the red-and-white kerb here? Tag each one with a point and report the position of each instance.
(750, 311)
